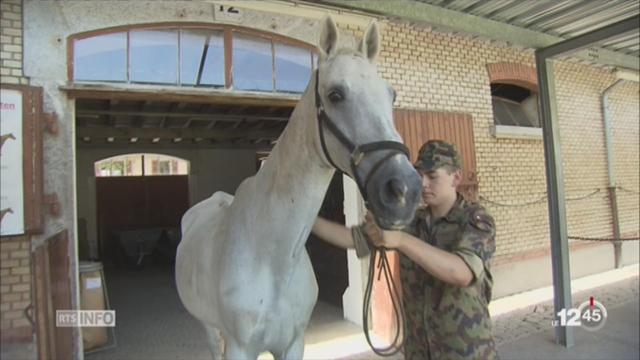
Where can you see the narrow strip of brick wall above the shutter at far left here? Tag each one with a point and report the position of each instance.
(11, 42)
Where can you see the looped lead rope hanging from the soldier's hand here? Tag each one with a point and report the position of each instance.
(398, 310)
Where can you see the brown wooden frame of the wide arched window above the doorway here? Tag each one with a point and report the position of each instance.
(227, 33)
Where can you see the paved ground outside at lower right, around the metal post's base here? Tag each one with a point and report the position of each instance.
(528, 333)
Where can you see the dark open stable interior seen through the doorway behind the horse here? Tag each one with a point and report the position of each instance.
(136, 178)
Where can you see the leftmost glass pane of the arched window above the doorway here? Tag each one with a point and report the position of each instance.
(102, 58)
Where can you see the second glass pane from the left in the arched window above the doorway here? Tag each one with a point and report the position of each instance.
(154, 56)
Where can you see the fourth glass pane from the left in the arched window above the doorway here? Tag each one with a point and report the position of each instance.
(252, 64)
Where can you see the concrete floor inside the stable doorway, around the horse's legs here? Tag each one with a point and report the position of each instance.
(151, 323)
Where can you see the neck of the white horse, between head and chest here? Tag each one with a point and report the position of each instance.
(294, 177)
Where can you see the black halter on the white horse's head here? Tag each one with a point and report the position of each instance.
(357, 152)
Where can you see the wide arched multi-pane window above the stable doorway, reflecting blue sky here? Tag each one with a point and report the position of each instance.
(195, 57)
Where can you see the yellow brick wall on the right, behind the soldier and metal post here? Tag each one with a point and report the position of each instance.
(437, 71)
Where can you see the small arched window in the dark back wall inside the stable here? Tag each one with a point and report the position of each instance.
(141, 165)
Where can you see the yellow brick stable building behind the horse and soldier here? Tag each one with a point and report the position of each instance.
(119, 116)
